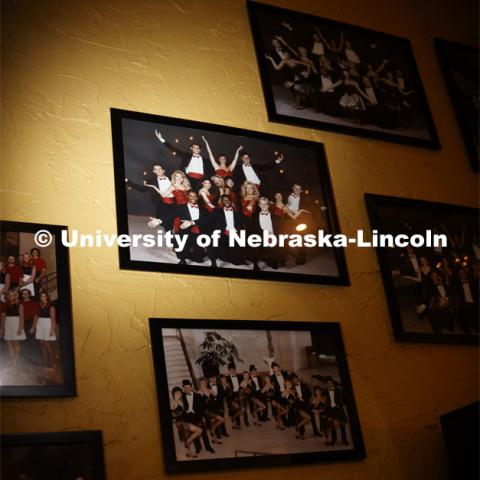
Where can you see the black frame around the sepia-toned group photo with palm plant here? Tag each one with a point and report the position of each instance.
(330, 331)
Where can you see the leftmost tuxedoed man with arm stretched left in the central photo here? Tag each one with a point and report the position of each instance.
(163, 206)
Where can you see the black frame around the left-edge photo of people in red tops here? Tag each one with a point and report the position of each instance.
(51, 386)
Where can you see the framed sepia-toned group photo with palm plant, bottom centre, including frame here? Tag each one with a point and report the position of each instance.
(236, 394)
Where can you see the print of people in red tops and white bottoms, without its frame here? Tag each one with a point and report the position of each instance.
(29, 324)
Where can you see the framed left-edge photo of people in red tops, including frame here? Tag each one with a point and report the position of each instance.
(36, 347)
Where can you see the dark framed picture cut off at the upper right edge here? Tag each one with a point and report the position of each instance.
(460, 67)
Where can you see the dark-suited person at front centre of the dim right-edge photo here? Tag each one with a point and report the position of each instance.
(436, 304)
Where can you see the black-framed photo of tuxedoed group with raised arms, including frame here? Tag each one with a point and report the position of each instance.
(181, 182)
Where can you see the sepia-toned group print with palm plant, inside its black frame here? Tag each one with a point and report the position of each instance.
(250, 393)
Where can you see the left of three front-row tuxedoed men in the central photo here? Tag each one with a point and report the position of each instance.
(190, 221)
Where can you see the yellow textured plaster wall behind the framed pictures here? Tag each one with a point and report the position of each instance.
(65, 63)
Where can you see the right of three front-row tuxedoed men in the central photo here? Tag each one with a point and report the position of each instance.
(264, 219)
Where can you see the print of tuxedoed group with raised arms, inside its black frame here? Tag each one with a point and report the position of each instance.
(192, 182)
